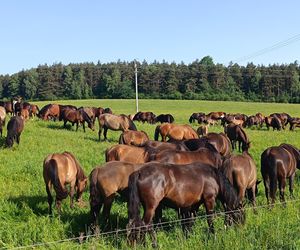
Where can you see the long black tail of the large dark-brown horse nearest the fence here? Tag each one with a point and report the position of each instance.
(133, 206)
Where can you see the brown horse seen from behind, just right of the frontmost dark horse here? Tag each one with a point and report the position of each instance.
(241, 172)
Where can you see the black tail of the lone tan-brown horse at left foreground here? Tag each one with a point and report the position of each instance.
(61, 192)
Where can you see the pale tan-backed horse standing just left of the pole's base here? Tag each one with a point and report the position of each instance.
(114, 122)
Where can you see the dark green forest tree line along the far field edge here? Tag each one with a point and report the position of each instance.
(201, 80)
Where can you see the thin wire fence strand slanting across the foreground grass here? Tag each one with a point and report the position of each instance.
(157, 226)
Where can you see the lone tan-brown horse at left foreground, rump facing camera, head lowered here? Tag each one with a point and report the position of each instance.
(60, 169)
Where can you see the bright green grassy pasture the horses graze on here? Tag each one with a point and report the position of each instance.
(23, 200)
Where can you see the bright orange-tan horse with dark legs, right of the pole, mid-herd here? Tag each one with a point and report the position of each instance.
(175, 131)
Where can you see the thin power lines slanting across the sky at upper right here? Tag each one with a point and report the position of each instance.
(275, 46)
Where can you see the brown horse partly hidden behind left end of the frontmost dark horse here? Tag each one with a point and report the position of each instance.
(105, 182)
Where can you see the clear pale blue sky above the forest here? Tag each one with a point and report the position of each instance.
(35, 32)
